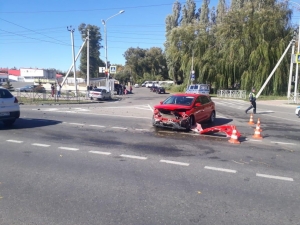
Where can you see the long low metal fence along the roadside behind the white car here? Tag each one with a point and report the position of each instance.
(47, 96)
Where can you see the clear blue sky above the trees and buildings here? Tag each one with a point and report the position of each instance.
(34, 33)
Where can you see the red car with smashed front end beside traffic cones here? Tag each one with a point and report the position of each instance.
(182, 111)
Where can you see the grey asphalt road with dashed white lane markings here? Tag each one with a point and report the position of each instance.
(104, 163)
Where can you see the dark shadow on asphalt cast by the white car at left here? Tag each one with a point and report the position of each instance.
(27, 123)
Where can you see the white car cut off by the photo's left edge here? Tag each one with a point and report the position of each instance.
(9, 107)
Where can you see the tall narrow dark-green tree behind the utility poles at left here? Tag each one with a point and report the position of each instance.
(95, 38)
